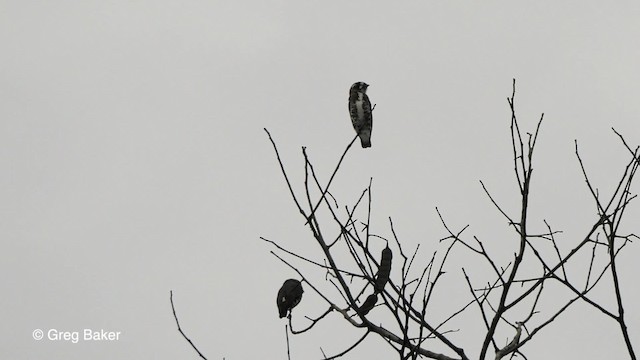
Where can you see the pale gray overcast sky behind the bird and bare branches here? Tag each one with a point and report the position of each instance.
(133, 159)
